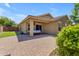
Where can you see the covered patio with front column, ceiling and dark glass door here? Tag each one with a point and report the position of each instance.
(37, 26)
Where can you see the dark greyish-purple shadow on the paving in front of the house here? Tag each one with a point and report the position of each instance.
(25, 37)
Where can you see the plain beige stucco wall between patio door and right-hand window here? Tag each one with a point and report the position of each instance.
(50, 28)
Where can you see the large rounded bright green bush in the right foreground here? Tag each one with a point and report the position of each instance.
(68, 41)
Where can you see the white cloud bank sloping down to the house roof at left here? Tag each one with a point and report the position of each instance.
(14, 16)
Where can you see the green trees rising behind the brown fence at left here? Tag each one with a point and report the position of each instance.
(6, 21)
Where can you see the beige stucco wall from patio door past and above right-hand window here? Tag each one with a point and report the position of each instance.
(52, 27)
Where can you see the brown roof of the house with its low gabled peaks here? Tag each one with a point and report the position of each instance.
(44, 18)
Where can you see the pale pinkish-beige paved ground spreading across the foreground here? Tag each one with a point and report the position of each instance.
(41, 45)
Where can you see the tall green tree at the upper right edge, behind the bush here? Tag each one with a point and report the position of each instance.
(75, 13)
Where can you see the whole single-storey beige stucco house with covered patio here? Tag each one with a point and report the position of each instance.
(45, 23)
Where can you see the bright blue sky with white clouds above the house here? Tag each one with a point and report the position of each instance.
(18, 11)
